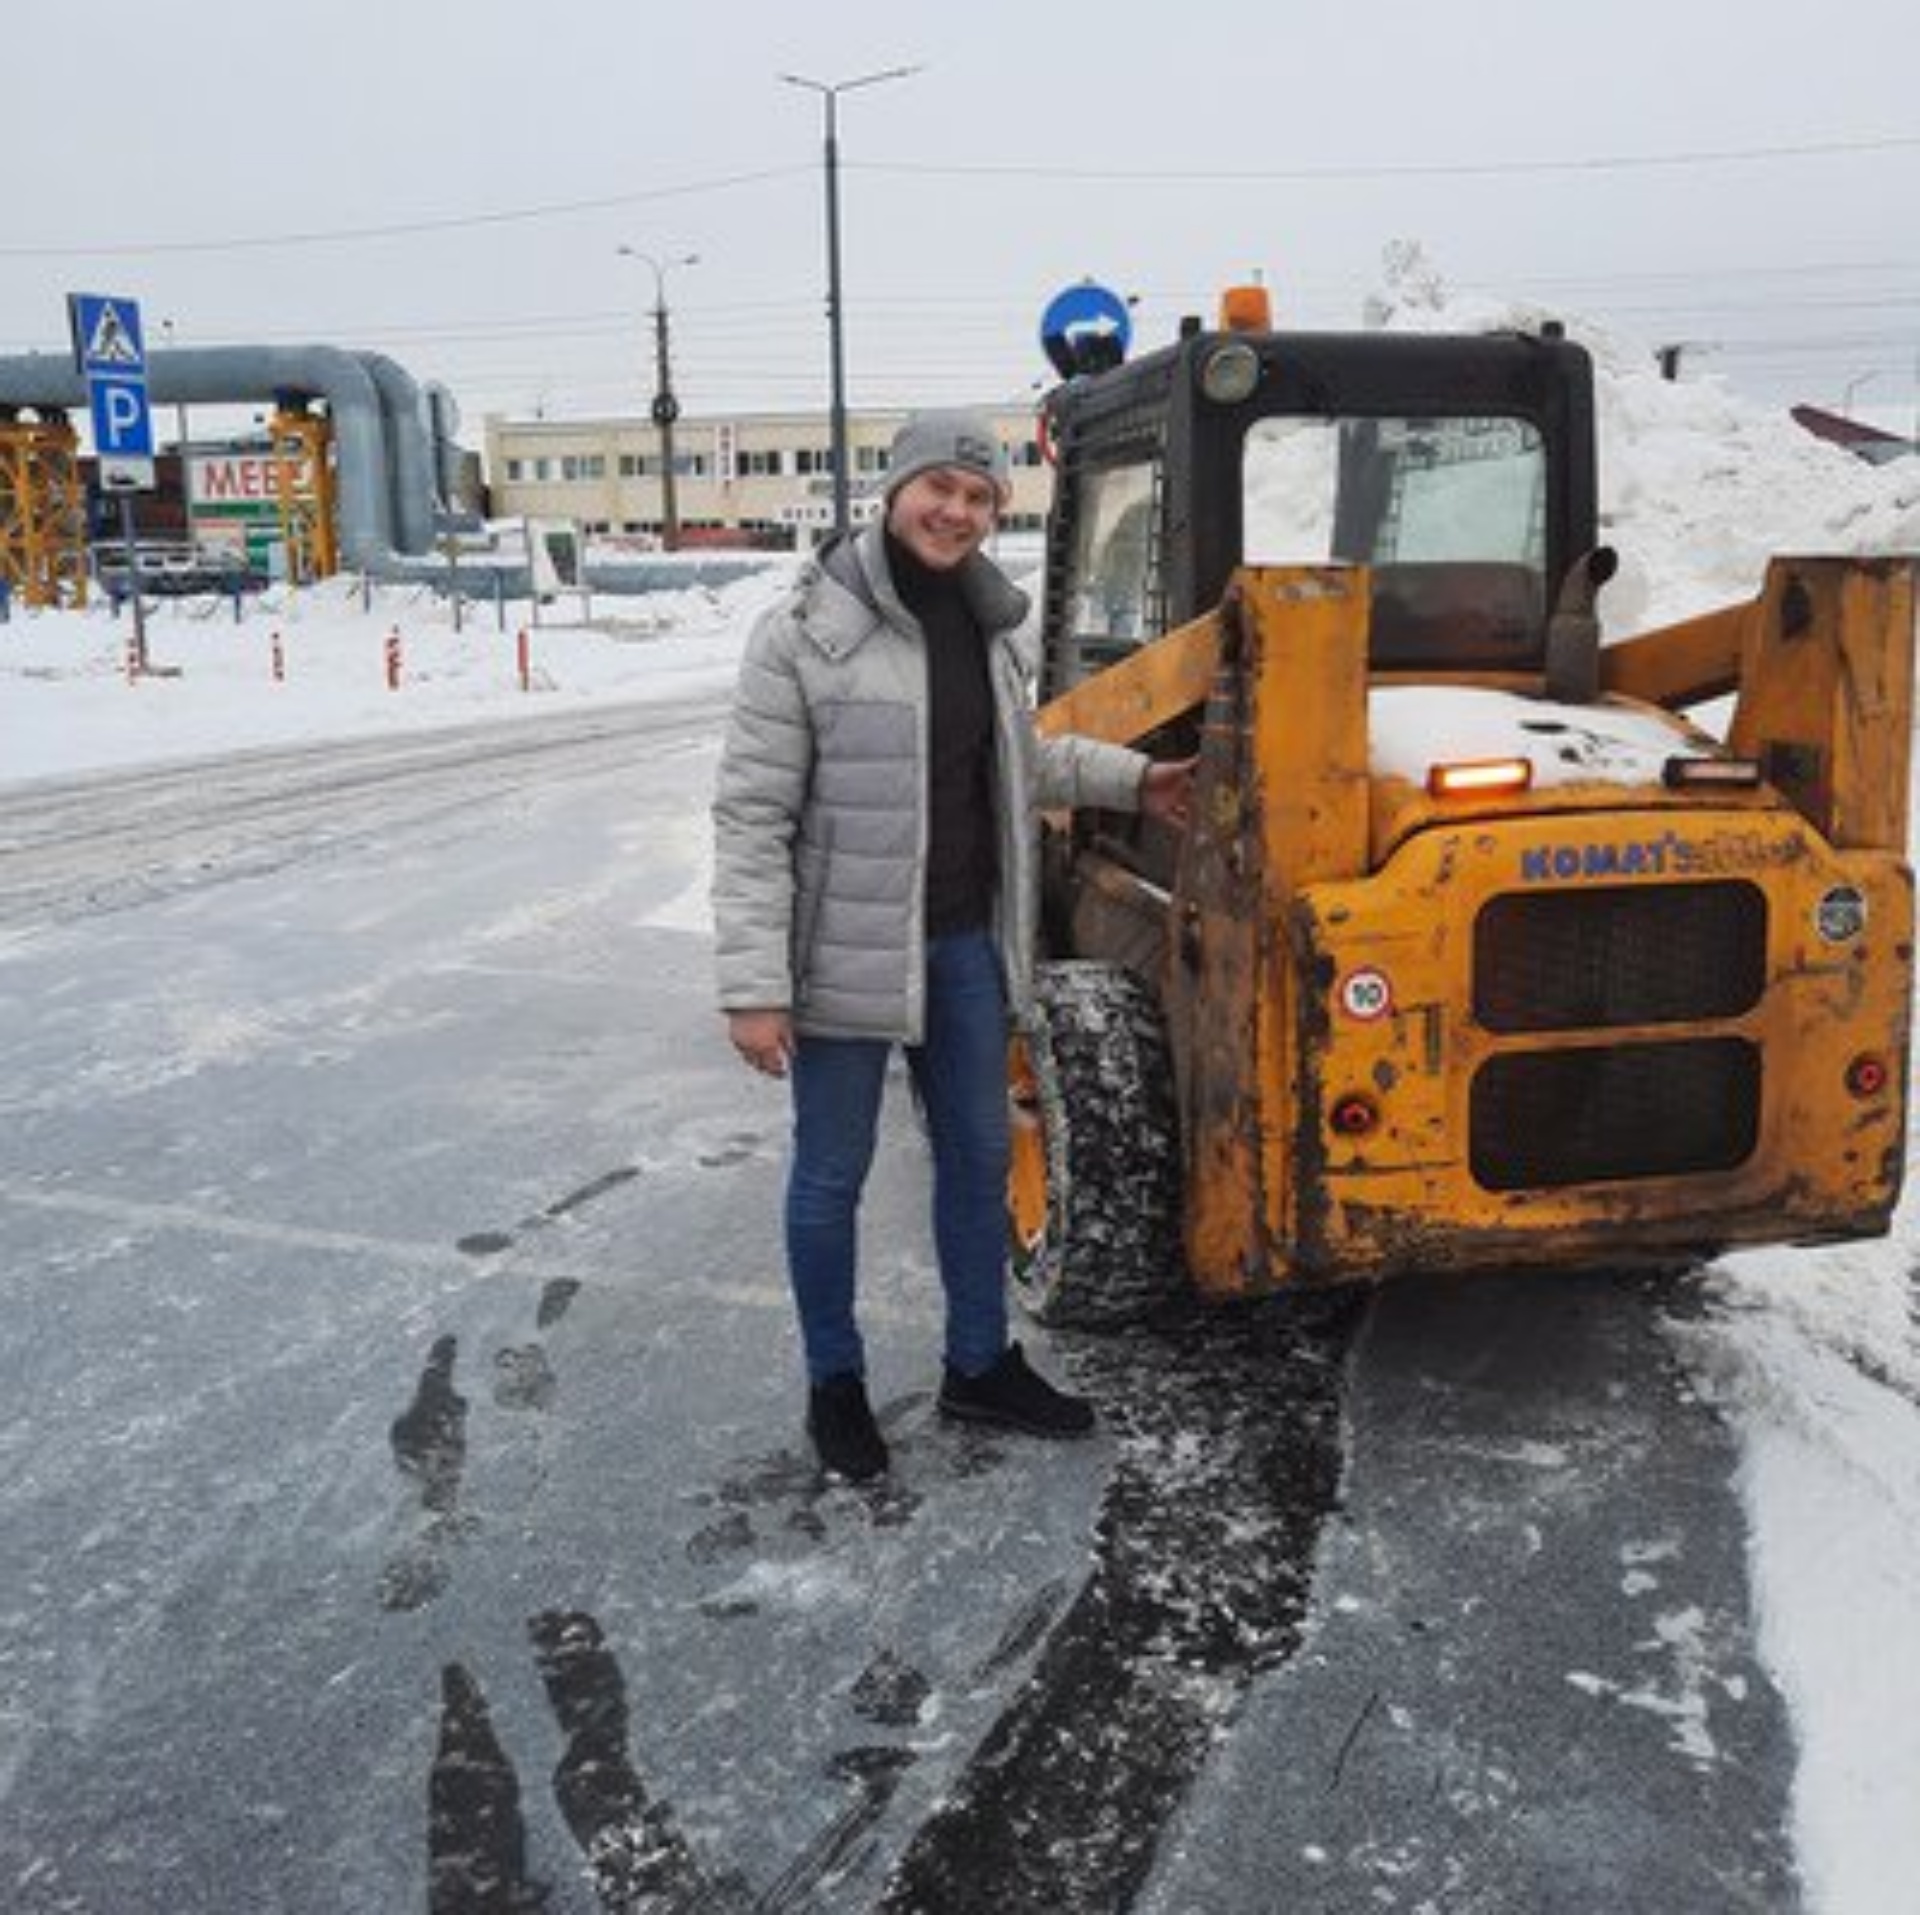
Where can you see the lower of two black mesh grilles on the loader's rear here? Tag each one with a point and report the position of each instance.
(1543, 1119)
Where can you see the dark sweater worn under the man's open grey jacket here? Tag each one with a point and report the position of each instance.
(961, 860)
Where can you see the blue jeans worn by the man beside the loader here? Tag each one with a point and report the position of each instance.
(961, 1075)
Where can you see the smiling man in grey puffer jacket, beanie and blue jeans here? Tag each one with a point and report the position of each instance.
(876, 883)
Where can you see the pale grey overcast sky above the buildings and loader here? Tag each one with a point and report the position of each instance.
(1742, 176)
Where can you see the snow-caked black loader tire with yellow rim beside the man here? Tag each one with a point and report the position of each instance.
(1093, 1200)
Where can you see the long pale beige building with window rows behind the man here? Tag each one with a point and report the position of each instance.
(742, 477)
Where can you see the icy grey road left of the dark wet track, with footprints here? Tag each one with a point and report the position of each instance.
(402, 1491)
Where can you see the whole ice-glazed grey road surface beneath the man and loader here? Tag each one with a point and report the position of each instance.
(406, 1507)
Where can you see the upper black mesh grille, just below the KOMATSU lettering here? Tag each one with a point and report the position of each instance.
(1621, 954)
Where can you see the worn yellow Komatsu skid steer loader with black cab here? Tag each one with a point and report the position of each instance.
(1477, 952)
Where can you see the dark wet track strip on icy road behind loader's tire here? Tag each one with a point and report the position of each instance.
(1228, 1463)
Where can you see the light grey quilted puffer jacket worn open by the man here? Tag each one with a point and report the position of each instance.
(821, 810)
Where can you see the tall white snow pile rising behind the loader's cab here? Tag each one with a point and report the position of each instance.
(1698, 487)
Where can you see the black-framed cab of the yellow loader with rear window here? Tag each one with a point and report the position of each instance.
(1458, 468)
